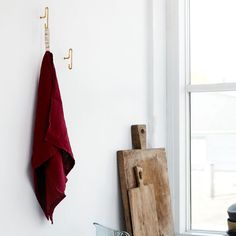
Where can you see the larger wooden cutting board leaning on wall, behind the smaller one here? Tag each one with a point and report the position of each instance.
(154, 165)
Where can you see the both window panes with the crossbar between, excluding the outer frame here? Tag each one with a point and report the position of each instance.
(212, 112)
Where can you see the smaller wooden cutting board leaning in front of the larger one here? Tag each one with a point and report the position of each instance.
(143, 207)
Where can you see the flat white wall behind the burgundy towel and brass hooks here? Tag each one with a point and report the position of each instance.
(104, 94)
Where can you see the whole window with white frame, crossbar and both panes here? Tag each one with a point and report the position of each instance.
(201, 112)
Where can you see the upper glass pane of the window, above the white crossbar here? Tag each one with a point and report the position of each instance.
(213, 41)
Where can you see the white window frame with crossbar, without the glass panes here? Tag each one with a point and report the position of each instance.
(178, 89)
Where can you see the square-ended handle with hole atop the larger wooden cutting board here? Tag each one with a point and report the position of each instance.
(138, 133)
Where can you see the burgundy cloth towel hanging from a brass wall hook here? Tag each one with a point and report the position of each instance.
(52, 157)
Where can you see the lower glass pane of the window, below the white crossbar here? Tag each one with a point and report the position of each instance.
(213, 159)
